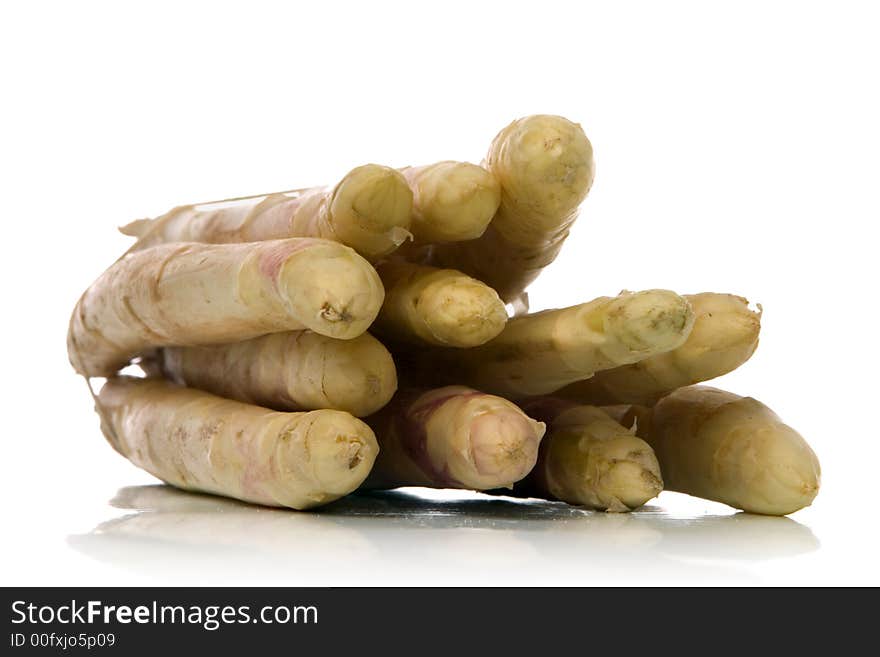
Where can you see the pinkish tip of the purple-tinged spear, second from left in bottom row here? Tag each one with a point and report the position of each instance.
(504, 444)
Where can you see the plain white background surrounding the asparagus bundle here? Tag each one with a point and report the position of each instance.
(737, 151)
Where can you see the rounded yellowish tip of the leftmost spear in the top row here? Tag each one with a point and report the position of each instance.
(372, 207)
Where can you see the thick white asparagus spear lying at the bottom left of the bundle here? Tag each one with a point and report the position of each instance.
(197, 441)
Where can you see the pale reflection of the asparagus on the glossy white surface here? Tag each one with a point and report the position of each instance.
(419, 537)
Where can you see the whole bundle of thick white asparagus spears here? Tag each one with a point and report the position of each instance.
(250, 320)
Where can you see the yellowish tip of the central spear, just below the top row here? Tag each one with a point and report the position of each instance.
(462, 312)
